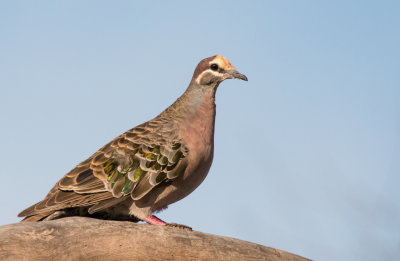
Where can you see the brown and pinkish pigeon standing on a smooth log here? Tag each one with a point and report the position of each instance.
(150, 166)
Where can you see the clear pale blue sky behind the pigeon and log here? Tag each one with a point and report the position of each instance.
(307, 152)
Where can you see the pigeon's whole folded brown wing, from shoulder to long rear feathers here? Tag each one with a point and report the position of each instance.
(130, 165)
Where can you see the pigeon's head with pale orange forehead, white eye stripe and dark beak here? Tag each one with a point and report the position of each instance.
(213, 70)
